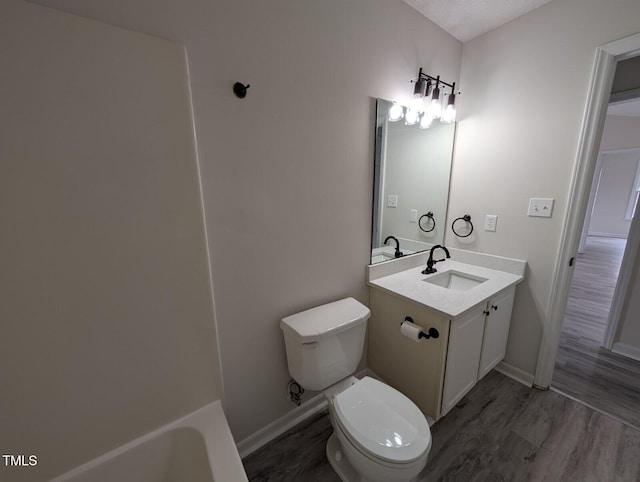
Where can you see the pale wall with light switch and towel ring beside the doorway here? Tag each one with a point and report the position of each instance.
(525, 87)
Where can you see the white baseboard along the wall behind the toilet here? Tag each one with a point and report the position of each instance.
(289, 420)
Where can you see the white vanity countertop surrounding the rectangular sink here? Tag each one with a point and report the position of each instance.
(410, 284)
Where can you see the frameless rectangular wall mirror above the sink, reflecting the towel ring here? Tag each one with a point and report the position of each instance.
(411, 185)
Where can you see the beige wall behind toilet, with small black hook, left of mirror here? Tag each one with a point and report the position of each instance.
(288, 171)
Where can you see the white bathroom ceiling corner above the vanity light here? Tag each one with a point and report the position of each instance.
(467, 19)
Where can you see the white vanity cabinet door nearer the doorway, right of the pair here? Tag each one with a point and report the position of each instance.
(496, 331)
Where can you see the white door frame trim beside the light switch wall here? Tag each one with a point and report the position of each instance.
(604, 67)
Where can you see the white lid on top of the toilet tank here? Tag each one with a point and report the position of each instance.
(326, 319)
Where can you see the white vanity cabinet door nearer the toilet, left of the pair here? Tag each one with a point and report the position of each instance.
(463, 357)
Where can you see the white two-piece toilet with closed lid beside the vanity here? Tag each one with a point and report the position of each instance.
(379, 434)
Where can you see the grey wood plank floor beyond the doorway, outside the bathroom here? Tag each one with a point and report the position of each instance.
(584, 370)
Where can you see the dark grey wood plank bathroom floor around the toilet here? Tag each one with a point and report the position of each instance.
(501, 431)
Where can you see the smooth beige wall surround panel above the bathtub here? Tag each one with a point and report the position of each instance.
(106, 314)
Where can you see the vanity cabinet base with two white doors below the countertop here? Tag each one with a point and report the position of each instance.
(437, 372)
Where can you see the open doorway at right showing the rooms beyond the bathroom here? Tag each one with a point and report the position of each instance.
(585, 367)
